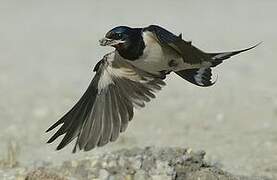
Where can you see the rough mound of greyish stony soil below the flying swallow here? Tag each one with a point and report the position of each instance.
(138, 164)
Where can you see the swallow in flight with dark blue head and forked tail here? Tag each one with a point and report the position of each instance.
(127, 78)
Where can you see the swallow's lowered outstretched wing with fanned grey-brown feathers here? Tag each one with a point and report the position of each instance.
(107, 105)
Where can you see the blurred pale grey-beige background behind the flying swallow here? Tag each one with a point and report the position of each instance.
(49, 48)
